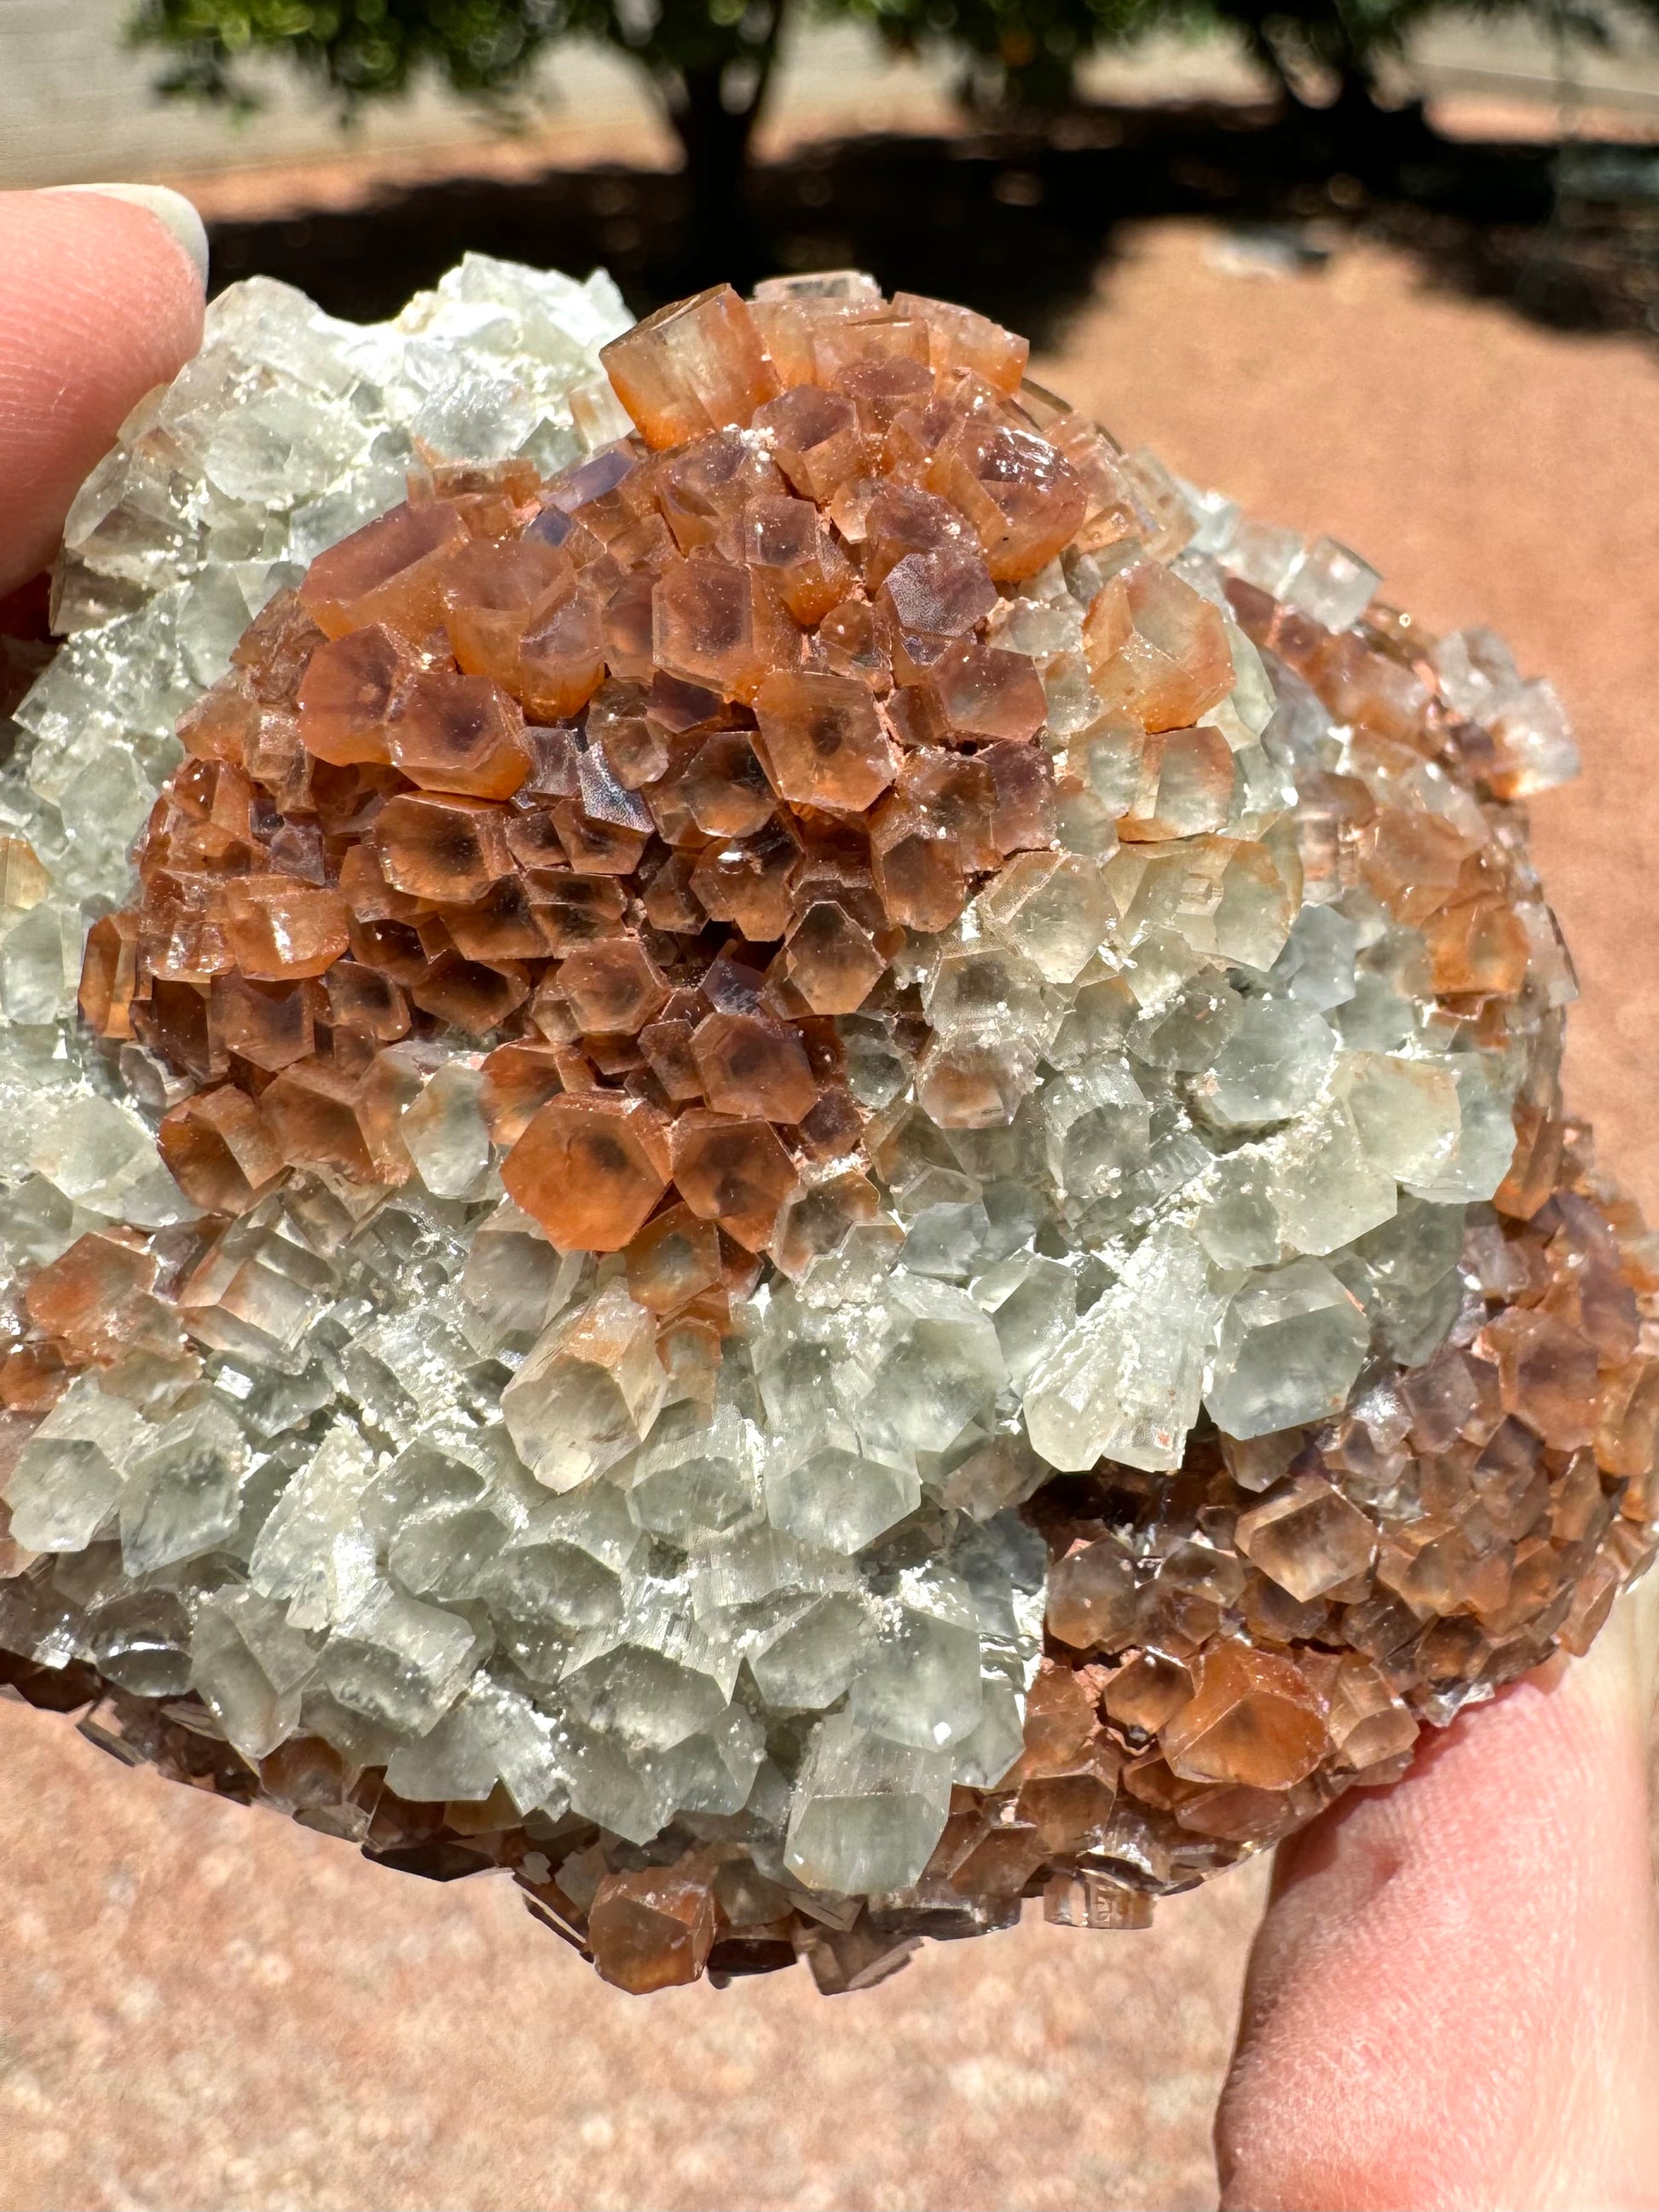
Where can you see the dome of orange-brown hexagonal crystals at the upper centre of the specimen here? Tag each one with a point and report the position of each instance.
(643, 775)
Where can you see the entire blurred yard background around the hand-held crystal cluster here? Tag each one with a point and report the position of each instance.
(1379, 269)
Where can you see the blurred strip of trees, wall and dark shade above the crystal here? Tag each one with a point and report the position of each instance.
(990, 149)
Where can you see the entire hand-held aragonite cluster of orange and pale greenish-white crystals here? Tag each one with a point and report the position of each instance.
(811, 1176)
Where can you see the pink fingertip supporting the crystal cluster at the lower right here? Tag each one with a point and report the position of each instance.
(1454, 1996)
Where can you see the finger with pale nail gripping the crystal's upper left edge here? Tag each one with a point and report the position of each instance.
(103, 300)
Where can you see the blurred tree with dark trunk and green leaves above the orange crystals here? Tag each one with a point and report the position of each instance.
(709, 63)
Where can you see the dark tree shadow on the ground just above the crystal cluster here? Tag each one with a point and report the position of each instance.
(1019, 222)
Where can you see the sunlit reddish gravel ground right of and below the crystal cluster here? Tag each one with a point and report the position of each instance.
(209, 2010)
